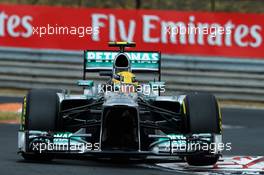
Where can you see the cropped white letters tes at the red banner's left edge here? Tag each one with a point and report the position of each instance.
(9, 25)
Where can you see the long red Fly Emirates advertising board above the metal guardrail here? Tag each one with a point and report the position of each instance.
(238, 35)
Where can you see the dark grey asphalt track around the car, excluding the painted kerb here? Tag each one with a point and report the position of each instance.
(242, 127)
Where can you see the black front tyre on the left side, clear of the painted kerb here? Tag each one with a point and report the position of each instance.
(41, 114)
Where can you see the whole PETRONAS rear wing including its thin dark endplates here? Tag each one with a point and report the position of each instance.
(141, 61)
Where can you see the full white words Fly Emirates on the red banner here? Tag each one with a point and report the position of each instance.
(202, 33)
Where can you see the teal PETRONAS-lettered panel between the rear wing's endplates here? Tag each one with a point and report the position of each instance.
(139, 60)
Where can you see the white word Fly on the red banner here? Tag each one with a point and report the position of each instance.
(115, 26)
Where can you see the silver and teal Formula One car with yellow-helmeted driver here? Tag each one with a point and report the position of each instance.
(122, 117)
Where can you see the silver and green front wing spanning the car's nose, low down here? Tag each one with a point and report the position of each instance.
(75, 143)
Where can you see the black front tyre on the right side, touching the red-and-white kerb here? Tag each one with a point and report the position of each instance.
(202, 116)
